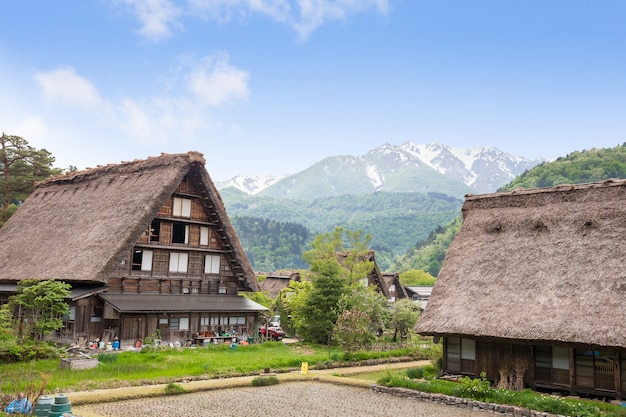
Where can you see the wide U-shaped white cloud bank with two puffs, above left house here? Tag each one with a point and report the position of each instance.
(196, 88)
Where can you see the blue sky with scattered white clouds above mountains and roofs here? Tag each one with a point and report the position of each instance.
(272, 86)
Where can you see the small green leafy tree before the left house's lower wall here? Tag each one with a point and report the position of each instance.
(39, 306)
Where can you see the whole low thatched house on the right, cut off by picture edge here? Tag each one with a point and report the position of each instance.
(535, 282)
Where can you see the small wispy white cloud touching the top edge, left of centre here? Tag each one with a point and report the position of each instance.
(158, 18)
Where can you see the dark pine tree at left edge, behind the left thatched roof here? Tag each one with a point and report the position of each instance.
(21, 166)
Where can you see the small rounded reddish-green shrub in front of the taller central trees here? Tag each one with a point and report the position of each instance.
(353, 330)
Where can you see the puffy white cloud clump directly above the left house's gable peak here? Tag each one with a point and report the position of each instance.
(216, 82)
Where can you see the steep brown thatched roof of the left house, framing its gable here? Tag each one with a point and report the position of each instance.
(79, 226)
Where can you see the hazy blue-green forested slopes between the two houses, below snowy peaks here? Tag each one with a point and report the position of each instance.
(274, 232)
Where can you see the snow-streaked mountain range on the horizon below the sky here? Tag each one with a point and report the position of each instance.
(405, 168)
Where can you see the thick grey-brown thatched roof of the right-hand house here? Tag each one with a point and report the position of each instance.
(546, 265)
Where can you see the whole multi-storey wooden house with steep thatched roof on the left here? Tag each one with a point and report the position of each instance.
(147, 247)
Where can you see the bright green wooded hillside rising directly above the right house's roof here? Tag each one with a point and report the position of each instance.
(576, 168)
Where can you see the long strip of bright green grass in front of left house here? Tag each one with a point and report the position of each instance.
(162, 366)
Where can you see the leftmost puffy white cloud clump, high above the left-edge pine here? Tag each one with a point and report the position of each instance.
(63, 85)
